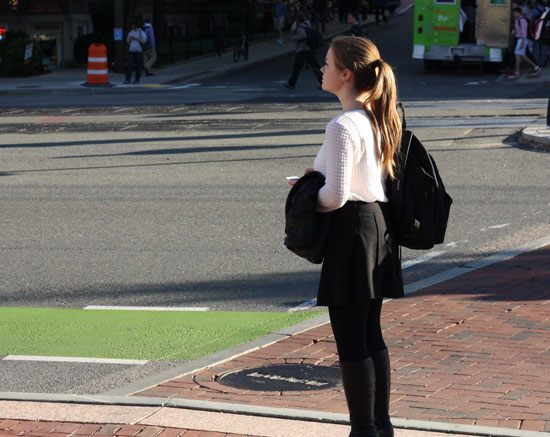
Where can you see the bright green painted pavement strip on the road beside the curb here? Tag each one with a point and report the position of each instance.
(140, 335)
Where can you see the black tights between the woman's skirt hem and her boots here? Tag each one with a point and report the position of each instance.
(357, 330)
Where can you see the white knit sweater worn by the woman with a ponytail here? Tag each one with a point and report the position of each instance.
(349, 160)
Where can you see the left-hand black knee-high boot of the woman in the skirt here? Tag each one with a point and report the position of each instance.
(358, 381)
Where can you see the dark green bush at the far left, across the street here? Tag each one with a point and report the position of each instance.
(13, 54)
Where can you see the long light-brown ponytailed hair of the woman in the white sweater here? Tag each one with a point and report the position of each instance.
(374, 76)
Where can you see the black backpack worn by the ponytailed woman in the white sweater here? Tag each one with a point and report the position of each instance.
(419, 202)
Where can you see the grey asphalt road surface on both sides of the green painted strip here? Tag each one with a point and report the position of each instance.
(176, 198)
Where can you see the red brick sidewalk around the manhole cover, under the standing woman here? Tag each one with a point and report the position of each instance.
(472, 350)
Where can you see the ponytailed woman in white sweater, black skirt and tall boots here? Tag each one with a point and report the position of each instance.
(361, 264)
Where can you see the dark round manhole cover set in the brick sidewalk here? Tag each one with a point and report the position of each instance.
(286, 377)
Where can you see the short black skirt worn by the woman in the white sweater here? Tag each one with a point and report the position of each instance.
(361, 259)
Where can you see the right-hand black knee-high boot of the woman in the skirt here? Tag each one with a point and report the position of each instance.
(381, 360)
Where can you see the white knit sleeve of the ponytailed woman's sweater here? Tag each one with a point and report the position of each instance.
(339, 164)
